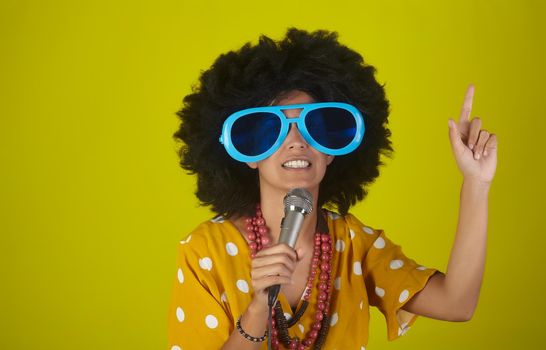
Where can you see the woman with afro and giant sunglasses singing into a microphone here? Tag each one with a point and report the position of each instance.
(339, 266)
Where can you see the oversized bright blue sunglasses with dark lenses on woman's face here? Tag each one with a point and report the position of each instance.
(253, 134)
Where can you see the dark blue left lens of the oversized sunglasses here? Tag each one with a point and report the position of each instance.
(255, 133)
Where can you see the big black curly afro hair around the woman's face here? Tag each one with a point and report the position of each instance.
(315, 63)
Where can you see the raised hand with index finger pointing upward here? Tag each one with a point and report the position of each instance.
(474, 149)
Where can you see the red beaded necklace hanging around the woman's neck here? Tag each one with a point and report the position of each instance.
(257, 234)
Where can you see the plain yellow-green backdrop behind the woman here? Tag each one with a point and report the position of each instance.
(93, 202)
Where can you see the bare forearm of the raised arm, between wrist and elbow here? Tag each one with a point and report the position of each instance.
(467, 260)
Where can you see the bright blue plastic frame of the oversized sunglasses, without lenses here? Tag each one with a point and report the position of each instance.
(225, 138)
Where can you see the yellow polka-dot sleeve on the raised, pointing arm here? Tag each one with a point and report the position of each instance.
(391, 279)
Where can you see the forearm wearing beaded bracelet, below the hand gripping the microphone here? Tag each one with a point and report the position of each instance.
(254, 323)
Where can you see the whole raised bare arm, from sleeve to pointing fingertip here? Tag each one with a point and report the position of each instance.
(454, 296)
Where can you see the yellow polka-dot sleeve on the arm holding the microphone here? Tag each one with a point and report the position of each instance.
(197, 318)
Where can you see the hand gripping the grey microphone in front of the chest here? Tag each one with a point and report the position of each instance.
(272, 265)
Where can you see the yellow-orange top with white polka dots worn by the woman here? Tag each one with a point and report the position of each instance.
(212, 286)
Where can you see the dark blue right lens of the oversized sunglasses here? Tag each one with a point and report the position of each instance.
(331, 127)
